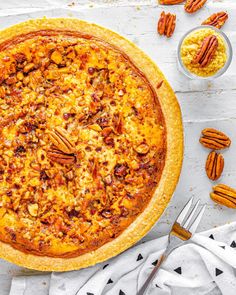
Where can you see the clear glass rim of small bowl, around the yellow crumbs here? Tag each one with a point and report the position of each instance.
(229, 53)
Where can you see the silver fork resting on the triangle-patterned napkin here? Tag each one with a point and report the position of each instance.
(184, 227)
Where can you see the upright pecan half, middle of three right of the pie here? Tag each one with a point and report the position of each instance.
(214, 165)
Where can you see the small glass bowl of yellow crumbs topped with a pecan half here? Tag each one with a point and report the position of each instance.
(204, 52)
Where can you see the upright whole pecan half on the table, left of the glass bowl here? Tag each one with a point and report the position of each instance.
(166, 24)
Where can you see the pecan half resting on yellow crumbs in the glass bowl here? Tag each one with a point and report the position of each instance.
(207, 51)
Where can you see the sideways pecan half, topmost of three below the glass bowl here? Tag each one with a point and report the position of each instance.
(214, 139)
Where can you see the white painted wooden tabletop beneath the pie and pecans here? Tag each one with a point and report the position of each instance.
(203, 104)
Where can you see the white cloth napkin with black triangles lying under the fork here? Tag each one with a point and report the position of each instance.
(205, 265)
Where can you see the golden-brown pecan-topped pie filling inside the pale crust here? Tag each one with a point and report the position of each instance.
(83, 143)
